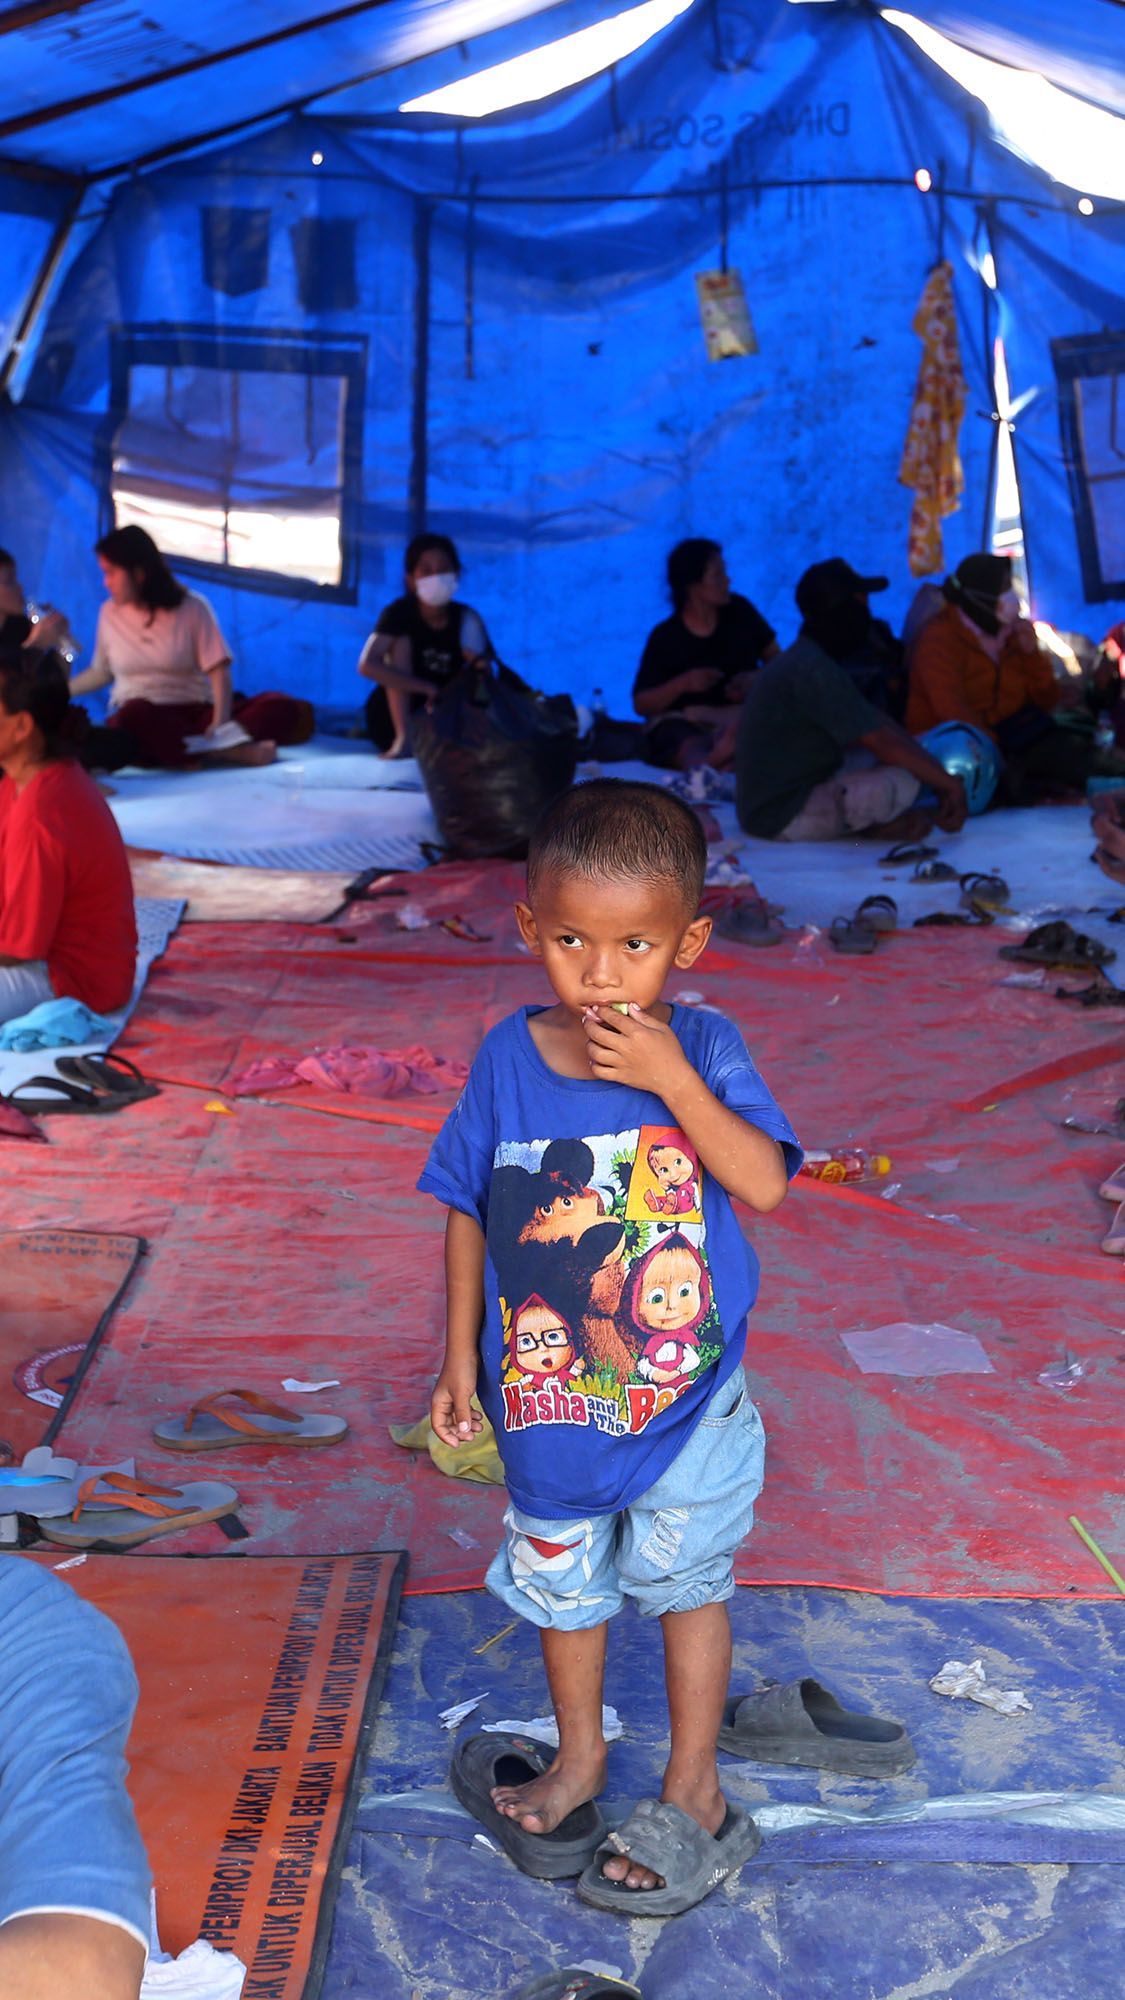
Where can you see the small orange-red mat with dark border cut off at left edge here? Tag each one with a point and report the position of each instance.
(57, 1295)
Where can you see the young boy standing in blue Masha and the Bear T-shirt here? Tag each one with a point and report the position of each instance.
(604, 1339)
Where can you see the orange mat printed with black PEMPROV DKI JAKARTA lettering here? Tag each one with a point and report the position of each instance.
(259, 1685)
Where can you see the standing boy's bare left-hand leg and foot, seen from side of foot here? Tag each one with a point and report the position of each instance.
(576, 1675)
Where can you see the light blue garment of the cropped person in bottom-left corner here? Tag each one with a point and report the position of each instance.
(69, 1839)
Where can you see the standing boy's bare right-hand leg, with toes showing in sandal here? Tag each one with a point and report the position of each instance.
(698, 1675)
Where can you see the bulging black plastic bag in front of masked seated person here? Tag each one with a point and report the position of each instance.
(493, 755)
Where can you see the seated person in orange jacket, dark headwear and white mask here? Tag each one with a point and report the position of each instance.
(978, 661)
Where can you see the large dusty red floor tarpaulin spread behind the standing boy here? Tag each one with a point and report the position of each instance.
(291, 1243)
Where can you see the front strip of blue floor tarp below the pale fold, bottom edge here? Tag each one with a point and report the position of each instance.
(906, 1931)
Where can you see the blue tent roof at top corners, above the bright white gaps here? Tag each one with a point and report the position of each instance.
(93, 87)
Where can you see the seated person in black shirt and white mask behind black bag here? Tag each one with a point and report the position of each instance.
(419, 643)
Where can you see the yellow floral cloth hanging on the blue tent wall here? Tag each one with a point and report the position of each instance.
(932, 463)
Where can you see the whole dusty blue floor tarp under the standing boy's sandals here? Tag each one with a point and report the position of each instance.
(429, 1913)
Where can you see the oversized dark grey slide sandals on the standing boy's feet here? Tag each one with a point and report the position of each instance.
(656, 1835)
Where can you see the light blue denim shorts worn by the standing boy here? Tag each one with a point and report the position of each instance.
(672, 1551)
